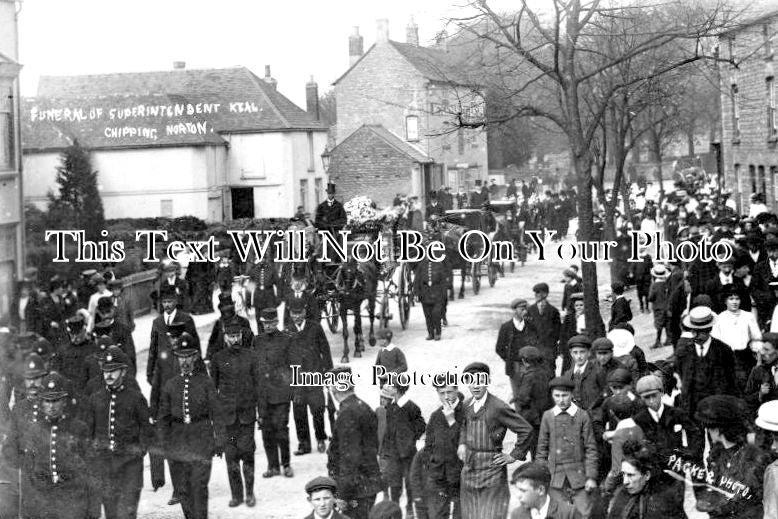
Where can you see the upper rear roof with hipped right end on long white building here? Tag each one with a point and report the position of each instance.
(224, 86)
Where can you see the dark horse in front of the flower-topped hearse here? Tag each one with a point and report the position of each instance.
(355, 282)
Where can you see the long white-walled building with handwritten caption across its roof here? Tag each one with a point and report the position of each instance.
(217, 144)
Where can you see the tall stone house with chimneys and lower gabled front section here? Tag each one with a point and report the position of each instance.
(398, 108)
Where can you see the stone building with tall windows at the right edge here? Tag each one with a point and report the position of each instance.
(748, 110)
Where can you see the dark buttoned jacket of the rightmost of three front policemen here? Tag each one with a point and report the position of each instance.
(193, 435)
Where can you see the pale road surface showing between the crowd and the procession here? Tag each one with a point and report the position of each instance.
(470, 335)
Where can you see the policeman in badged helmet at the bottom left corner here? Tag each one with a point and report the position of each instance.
(51, 454)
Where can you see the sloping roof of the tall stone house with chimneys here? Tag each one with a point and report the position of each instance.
(434, 64)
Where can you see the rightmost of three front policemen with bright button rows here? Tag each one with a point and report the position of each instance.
(190, 431)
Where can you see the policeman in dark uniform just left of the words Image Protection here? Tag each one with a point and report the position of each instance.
(274, 358)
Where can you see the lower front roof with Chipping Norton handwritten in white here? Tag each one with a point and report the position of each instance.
(113, 122)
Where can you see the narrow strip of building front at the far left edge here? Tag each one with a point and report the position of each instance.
(11, 214)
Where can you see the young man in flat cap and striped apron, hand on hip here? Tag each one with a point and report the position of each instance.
(484, 484)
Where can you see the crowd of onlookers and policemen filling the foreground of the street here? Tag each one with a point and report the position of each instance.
(600, 431)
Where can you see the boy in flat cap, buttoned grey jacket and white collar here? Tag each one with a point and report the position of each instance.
(567, 445)
